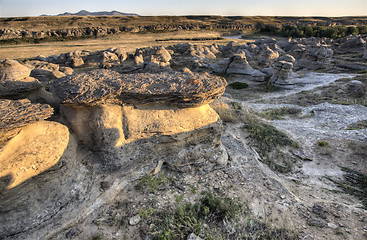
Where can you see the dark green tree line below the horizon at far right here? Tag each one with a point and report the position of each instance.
(312, 31)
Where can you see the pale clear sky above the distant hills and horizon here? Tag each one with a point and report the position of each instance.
(16, 8)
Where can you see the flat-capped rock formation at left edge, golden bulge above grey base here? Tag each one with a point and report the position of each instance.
(29, 147)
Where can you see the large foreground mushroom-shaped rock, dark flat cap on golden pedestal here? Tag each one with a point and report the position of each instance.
(111, 112)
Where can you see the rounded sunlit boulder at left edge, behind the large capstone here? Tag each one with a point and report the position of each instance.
(15, 79)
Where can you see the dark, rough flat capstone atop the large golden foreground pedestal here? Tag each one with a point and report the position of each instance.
(100, 86)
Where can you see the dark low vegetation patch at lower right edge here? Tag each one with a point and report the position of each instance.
(355, 184)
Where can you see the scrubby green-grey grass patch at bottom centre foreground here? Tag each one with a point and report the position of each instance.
(214, 217)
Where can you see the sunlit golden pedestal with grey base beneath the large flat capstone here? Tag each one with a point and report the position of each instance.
(149, 133)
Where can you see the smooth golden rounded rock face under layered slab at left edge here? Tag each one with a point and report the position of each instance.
(37, 147)
